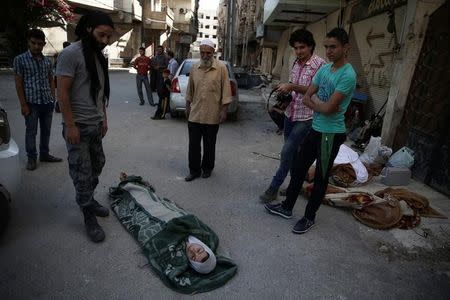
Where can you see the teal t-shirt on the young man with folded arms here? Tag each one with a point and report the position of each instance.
(343, 80)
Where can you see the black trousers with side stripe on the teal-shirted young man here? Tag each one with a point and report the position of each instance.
(311, 150)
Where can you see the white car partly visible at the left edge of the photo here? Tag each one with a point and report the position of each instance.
(9, 169)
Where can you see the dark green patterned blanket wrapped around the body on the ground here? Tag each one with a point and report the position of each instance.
(161, 228)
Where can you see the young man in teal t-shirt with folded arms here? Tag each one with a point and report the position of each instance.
(332, 87)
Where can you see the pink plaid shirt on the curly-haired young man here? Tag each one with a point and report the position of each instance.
(302, 74)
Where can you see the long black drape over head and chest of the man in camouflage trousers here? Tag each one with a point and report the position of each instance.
(90, 50)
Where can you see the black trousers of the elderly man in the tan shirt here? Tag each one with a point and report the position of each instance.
(208, 132)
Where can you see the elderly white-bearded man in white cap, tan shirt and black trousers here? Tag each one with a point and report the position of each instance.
(207, 98)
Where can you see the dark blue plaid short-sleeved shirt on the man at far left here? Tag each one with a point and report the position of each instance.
(35, 75)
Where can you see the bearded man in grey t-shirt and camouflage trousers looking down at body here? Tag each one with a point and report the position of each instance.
(83, 86)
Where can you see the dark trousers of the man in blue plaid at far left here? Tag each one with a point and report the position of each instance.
(42, 115)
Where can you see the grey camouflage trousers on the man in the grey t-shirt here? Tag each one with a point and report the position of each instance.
(86, 161)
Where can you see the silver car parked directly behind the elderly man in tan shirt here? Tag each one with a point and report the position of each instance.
(179, 86)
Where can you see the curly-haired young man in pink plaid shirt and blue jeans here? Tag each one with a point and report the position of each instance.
(298, 117)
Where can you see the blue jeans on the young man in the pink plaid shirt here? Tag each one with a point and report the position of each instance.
(294, 134)
